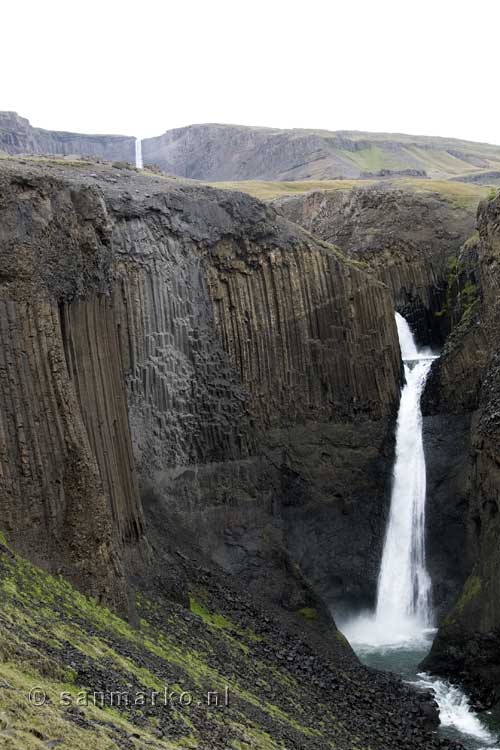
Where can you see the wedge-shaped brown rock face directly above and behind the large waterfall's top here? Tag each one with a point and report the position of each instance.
(407, 237)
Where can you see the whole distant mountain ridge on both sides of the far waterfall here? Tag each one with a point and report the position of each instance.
(216, 152)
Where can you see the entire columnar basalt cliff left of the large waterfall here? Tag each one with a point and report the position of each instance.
(192, 347)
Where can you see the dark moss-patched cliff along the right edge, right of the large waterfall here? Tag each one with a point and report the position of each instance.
(467, 379)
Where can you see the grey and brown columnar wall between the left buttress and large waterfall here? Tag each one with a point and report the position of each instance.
(266, 385)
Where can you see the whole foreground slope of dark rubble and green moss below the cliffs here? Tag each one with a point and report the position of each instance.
(222, 674)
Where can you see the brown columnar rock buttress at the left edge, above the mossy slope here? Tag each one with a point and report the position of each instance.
(68, 481)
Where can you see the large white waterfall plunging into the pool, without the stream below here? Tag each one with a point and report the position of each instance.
(403, 611)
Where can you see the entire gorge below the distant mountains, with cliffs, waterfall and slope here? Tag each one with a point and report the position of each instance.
(203, 403)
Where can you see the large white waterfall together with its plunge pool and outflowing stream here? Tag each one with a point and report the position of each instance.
(399, 633)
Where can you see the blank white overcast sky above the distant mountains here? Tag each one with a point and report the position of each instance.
(426, 67)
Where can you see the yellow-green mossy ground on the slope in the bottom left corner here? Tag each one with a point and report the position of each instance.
(62, 642)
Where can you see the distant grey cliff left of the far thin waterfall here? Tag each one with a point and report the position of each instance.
(17, 136)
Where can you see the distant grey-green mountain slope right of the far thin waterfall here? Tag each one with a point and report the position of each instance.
(231, 152)
